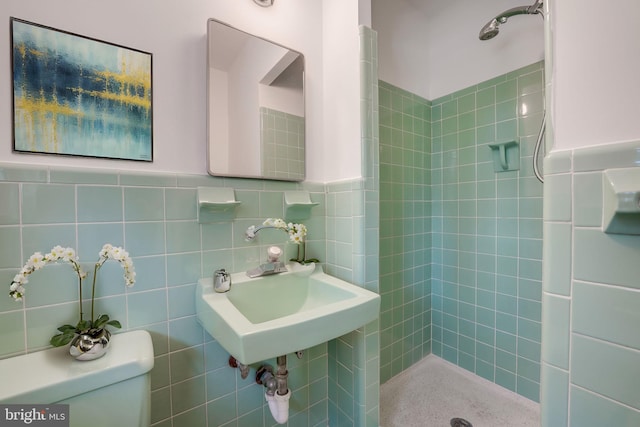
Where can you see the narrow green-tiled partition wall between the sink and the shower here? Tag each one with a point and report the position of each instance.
(352, 254)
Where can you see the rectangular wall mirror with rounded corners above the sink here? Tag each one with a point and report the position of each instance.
(256, 125)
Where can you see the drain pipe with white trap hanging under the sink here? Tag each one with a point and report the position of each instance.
(278, 393)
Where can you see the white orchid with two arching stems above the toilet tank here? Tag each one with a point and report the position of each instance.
(38, 261)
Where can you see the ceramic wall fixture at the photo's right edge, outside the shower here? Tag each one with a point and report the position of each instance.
(621, 201)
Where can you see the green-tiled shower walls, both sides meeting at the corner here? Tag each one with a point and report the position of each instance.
(460, 244)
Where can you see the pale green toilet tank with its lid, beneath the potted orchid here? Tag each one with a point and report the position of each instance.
(113, 390)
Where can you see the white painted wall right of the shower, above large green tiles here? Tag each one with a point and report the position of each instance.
(596, 64)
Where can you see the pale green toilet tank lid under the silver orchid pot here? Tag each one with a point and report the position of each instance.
(52, 375)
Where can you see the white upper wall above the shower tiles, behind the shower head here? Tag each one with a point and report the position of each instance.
(431, 47)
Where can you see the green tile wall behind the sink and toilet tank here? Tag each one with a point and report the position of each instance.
(154, 217)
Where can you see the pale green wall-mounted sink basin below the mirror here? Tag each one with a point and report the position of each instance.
(270, 316)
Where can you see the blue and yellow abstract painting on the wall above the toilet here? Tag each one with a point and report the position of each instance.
(75, 95)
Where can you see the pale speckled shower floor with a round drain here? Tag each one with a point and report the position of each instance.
(433, 391)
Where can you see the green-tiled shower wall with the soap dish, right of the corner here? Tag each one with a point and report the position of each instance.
(487, 231)
